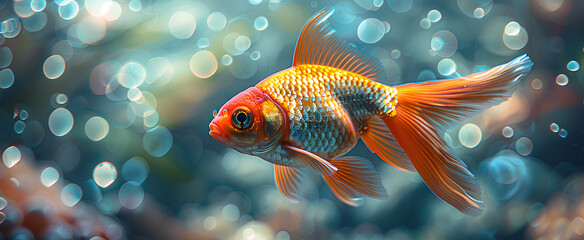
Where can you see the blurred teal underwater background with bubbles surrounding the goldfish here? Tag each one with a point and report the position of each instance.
(105, 106)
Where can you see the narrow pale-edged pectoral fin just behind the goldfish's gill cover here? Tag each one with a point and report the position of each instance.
(312, 161)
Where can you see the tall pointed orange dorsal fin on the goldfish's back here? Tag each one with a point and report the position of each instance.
(319, 44)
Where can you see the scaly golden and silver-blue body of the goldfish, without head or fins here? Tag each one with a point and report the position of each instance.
(327, 107)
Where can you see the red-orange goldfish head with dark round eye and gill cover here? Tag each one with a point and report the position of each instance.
(251, 122)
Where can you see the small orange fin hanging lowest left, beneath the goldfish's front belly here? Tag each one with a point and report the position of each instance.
(289, 182)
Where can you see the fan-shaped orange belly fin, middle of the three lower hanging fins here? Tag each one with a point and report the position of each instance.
(359, 174)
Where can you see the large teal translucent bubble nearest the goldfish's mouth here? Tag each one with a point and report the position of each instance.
(157, 141)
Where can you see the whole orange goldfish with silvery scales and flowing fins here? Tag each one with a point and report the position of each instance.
(310, 115)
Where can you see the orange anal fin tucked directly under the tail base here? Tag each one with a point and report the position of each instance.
(380, 141)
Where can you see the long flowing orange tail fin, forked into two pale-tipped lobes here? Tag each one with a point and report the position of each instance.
(425, 108)
